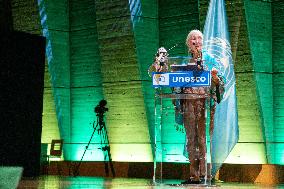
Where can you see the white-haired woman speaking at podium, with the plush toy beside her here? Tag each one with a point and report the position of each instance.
(193, 110)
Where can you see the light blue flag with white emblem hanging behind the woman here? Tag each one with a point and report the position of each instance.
(216, 41)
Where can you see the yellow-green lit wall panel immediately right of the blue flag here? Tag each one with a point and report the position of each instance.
(248, 90)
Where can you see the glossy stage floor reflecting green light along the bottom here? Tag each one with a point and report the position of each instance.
(50, 182)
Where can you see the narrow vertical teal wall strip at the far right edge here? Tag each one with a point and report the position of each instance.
(278, 80)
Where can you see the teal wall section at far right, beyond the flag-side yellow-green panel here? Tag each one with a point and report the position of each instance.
(267, 68)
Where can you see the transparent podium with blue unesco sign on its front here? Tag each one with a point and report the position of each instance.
(171, 159)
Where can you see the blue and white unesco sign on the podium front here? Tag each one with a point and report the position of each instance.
(181, 79)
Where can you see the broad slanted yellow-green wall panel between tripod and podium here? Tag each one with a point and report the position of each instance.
(122, 84)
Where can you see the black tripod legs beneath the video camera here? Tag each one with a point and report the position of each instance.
(102, 131)
